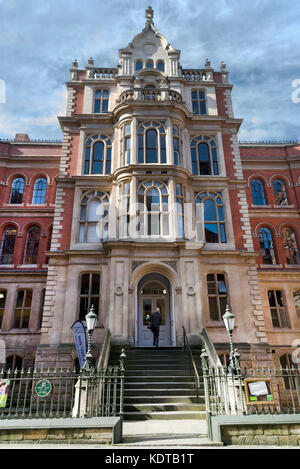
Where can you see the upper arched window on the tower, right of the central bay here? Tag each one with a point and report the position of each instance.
(204, 156)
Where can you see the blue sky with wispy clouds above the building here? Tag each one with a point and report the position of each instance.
(258, 40)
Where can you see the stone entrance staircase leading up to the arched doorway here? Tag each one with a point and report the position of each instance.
(159, 385)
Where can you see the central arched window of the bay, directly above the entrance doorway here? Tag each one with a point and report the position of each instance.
(153, 209)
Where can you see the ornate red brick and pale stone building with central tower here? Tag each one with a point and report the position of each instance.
(153, 202)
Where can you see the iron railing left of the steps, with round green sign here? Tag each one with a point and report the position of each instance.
(62, 393)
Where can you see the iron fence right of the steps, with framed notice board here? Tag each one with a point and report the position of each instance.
(246, 391)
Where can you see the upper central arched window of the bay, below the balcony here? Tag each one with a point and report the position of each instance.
(152, 143)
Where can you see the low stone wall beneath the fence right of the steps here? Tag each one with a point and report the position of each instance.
(275, 435)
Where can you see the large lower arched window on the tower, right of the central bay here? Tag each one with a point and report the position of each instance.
(213, 217)
